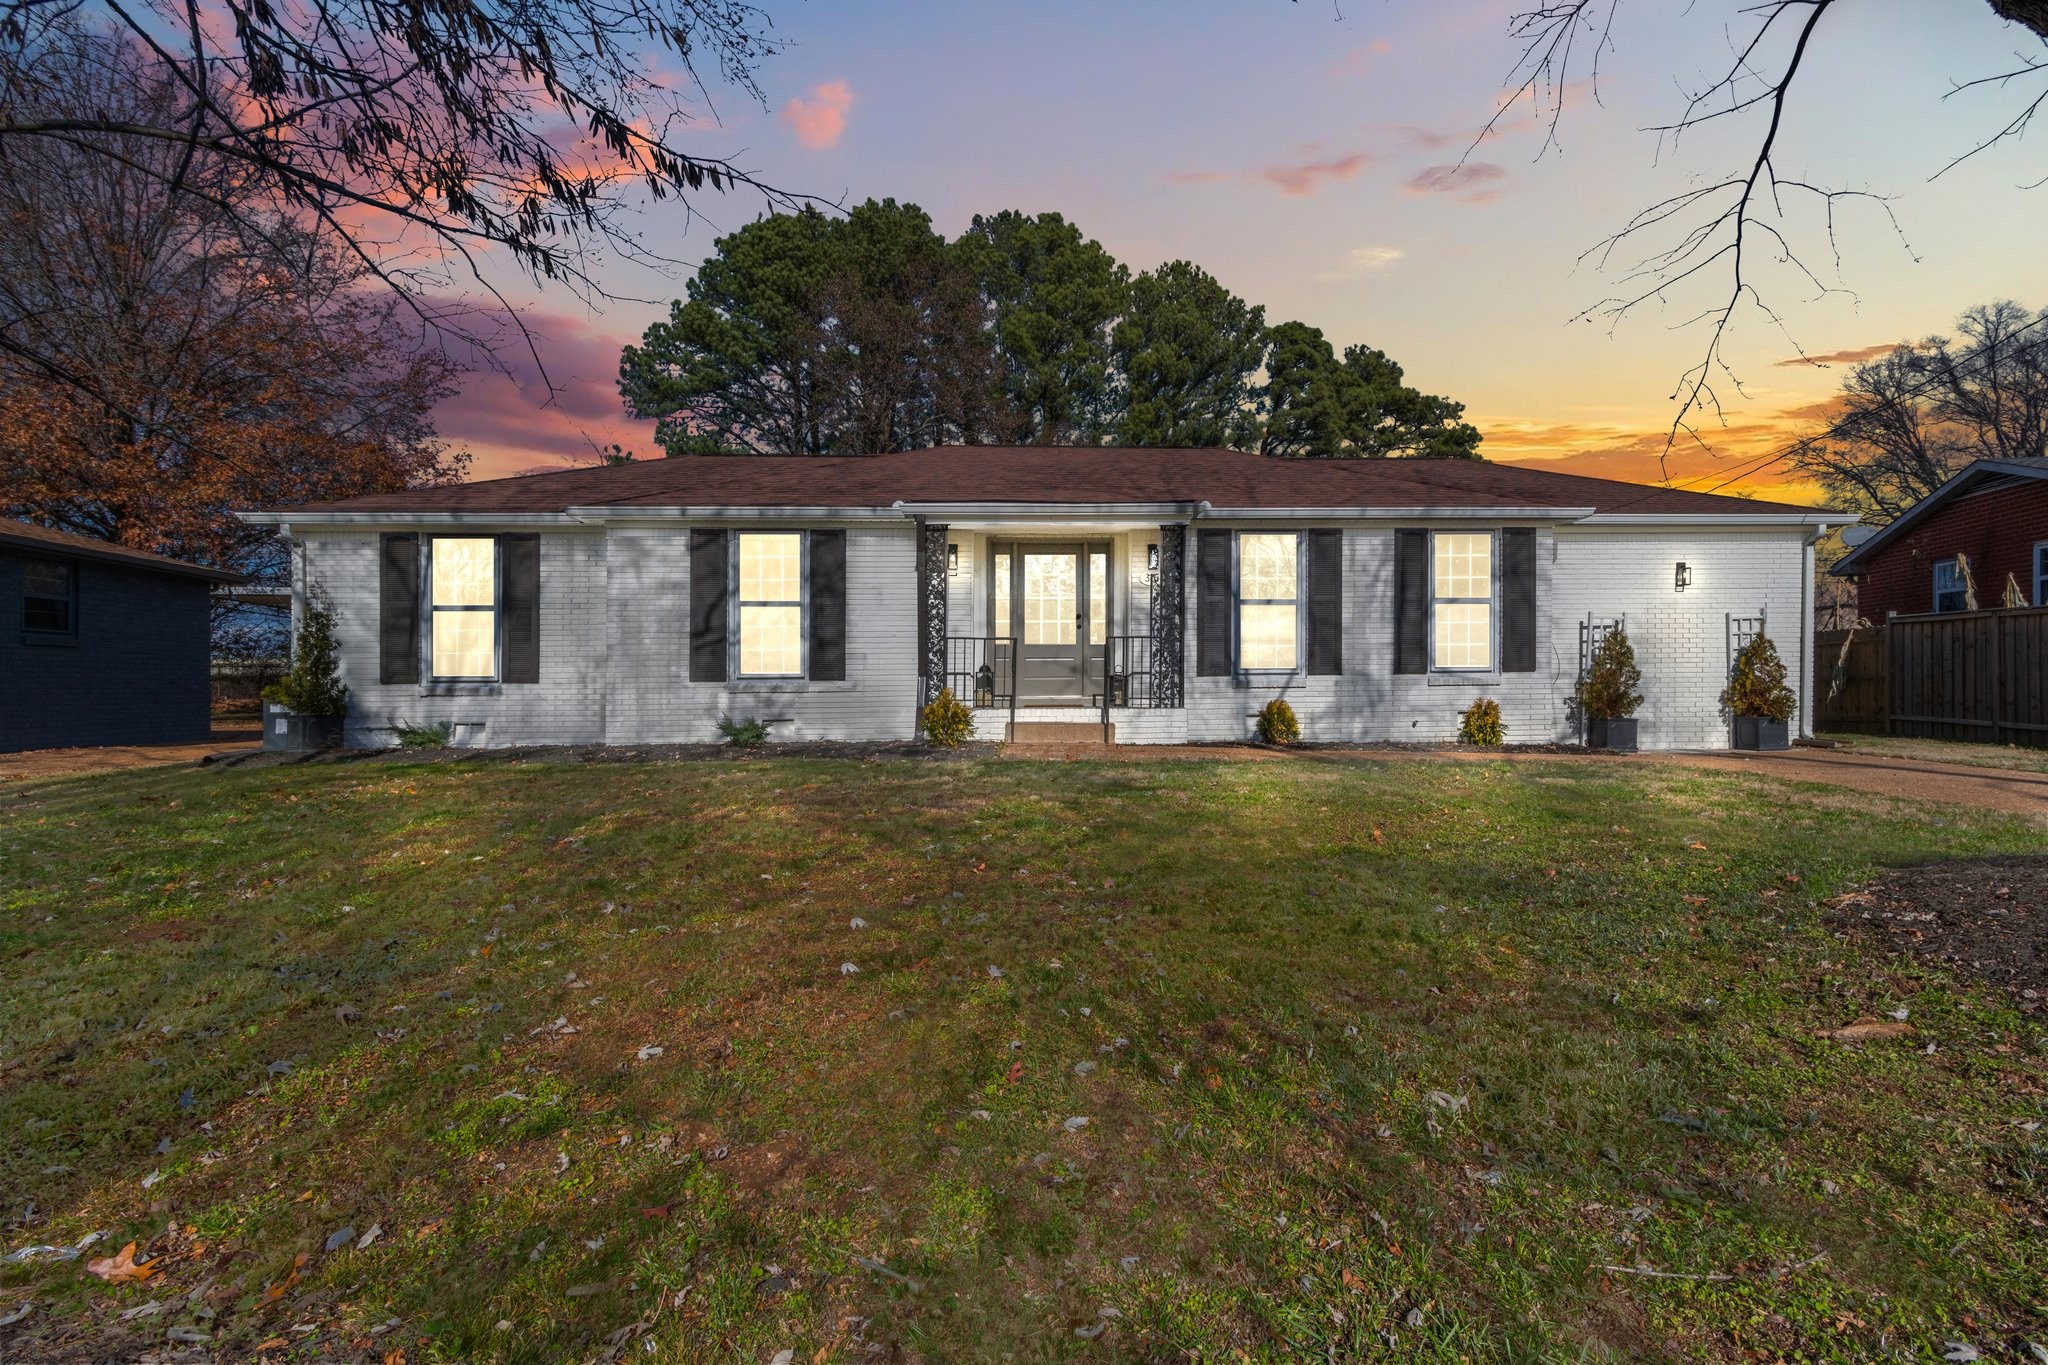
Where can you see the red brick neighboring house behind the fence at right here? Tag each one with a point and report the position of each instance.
(1994, 515)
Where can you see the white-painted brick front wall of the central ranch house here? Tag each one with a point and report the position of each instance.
(615, 644)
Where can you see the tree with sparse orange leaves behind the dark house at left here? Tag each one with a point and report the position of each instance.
(181, 353)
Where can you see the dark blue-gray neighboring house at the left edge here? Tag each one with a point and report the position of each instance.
(101, 646)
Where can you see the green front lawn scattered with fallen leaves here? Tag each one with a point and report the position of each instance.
(1375, 1061)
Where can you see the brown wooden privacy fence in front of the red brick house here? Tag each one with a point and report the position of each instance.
(1975, 676)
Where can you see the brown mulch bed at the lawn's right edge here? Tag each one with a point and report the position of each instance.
(1983, 918)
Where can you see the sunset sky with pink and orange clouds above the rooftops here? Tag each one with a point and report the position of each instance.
(1306, 157)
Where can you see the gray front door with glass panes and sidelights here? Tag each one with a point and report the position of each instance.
(1058, 607)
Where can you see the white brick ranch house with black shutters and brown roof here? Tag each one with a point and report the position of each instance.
(1166, 595)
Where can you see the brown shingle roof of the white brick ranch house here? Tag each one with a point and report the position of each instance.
(1050, 476)
